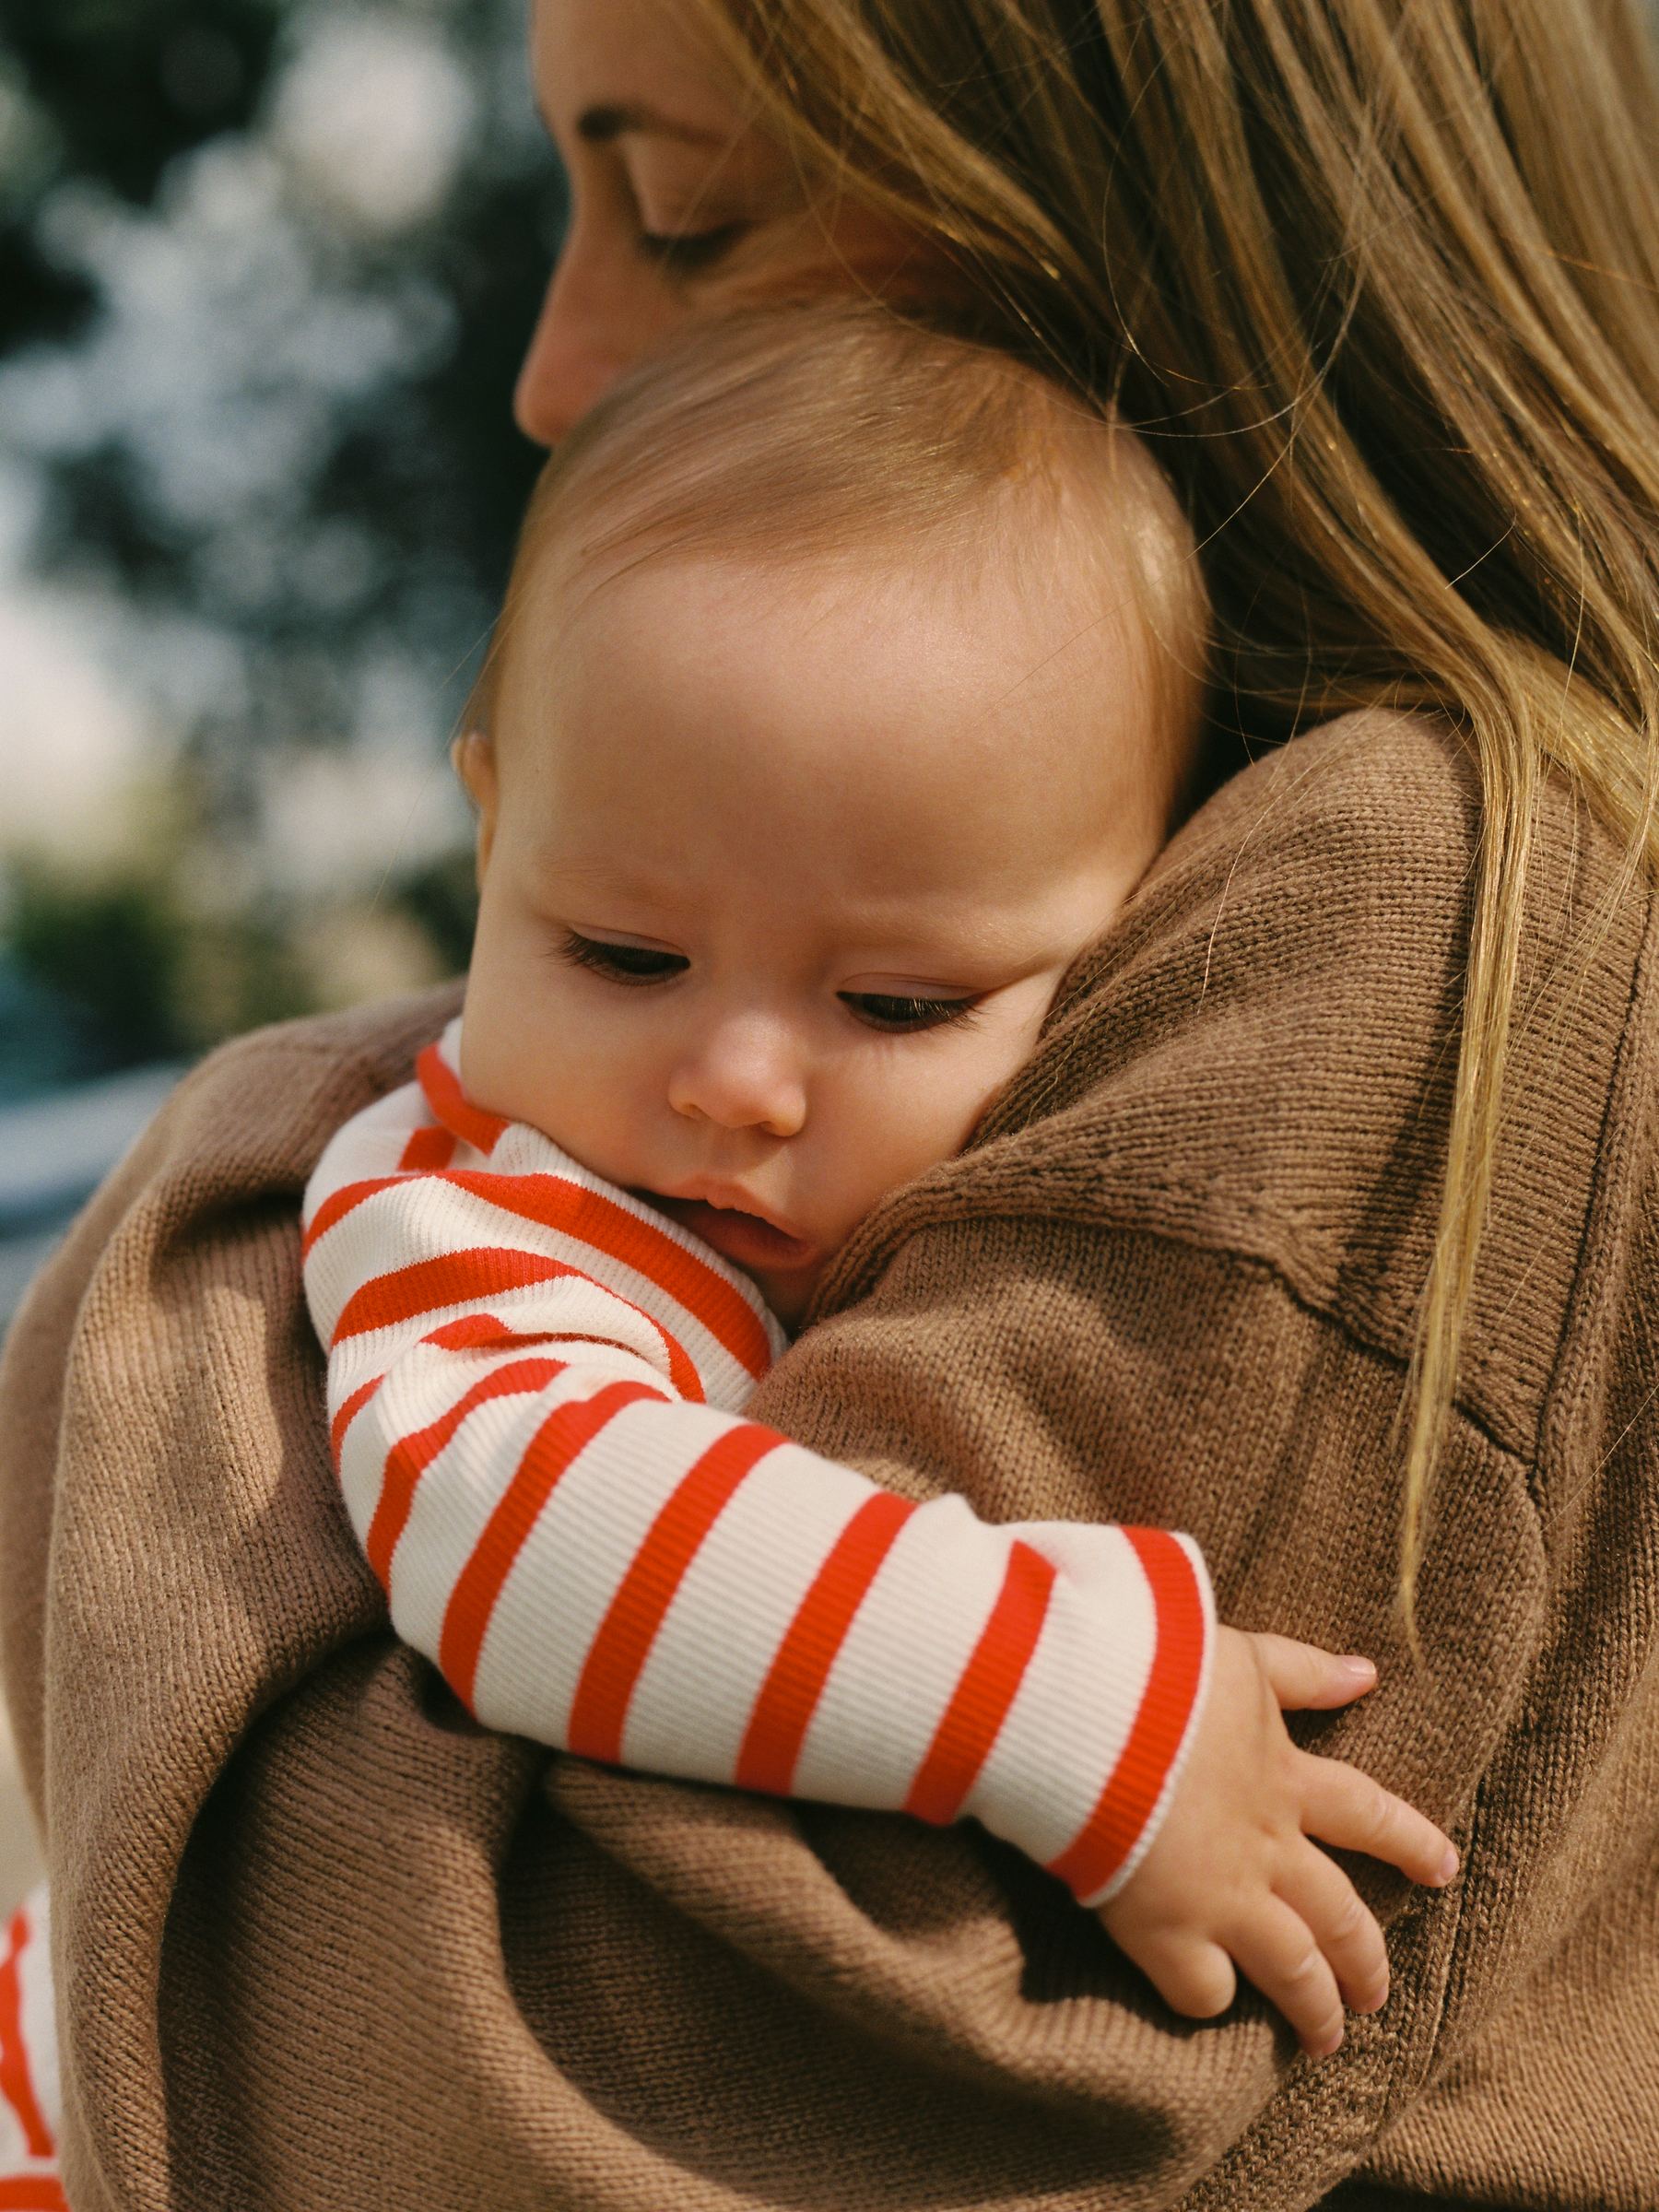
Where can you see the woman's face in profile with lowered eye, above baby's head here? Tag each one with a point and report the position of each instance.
(678, 202)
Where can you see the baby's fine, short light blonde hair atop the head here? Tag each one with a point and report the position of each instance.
(813, 437)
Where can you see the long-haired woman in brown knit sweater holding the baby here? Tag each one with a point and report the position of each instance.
(1350, 1116)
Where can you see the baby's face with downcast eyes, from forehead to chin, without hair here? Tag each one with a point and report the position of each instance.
(780, 875)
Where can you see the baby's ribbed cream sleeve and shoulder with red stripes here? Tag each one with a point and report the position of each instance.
(536, 1395)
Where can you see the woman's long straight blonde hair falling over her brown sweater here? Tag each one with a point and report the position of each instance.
(1381, 282)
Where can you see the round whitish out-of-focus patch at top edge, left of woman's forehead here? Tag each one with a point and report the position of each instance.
(373, 116)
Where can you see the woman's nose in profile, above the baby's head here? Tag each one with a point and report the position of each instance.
(598, 317)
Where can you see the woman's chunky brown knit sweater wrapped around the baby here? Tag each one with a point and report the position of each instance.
(322, 1943)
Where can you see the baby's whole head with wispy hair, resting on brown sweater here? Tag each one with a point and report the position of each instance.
(848, 682)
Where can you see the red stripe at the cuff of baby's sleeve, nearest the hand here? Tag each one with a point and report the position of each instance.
(1160, 1726)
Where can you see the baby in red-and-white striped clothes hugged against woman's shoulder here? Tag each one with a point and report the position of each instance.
(848, 682)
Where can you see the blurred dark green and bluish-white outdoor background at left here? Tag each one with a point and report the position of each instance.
(267, 273)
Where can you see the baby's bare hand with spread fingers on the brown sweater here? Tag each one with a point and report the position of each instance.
(1233, 1877)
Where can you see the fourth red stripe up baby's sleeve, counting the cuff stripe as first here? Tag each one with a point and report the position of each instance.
(645, 1594)
